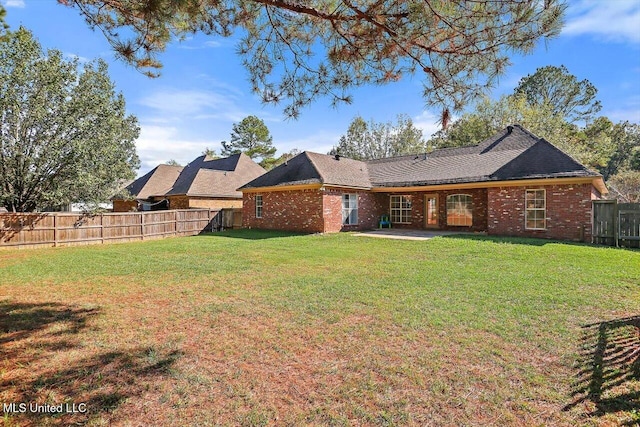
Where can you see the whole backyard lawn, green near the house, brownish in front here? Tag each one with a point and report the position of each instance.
(261, 328)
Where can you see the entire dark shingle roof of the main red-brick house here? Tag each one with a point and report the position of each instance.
(511, 154)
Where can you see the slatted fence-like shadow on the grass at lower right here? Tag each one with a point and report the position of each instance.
(608, 367)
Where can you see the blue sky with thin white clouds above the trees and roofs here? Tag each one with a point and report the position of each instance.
(204, 89)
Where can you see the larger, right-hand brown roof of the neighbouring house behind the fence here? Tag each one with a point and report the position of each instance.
(216, 177)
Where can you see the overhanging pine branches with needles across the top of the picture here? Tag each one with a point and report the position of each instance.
(297, 51)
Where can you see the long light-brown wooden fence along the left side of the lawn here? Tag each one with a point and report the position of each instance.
(62, 228)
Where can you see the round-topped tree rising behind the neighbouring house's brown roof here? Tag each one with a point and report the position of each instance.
(251, 137)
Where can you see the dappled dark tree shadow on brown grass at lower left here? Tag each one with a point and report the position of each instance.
(44, 361)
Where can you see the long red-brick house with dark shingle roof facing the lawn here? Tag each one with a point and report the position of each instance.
(513, 183)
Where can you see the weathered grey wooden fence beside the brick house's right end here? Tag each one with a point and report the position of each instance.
(616, 224)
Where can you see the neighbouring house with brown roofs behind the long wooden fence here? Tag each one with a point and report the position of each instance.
(203, 183)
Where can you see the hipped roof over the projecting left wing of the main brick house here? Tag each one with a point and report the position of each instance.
(314, 168)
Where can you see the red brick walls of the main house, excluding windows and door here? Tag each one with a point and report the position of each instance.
(499, 211)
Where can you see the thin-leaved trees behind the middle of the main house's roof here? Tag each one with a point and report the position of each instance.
(378, 140)
